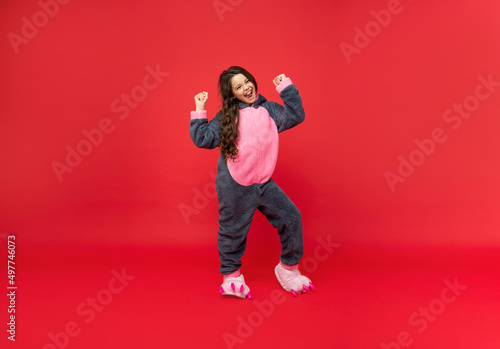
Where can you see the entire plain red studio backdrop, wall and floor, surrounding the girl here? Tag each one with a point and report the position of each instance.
(399, 148)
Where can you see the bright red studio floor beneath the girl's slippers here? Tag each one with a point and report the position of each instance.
(169, 298)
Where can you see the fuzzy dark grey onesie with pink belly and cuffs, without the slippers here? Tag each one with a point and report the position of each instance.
(245, 185)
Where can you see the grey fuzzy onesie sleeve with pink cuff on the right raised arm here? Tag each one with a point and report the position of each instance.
(292, 113)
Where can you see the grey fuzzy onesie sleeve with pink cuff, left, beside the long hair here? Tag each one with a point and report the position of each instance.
(205, 134)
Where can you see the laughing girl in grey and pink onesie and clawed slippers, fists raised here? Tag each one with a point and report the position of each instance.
(246, 131)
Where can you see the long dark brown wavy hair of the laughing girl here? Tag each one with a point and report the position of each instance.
(230, 111)
